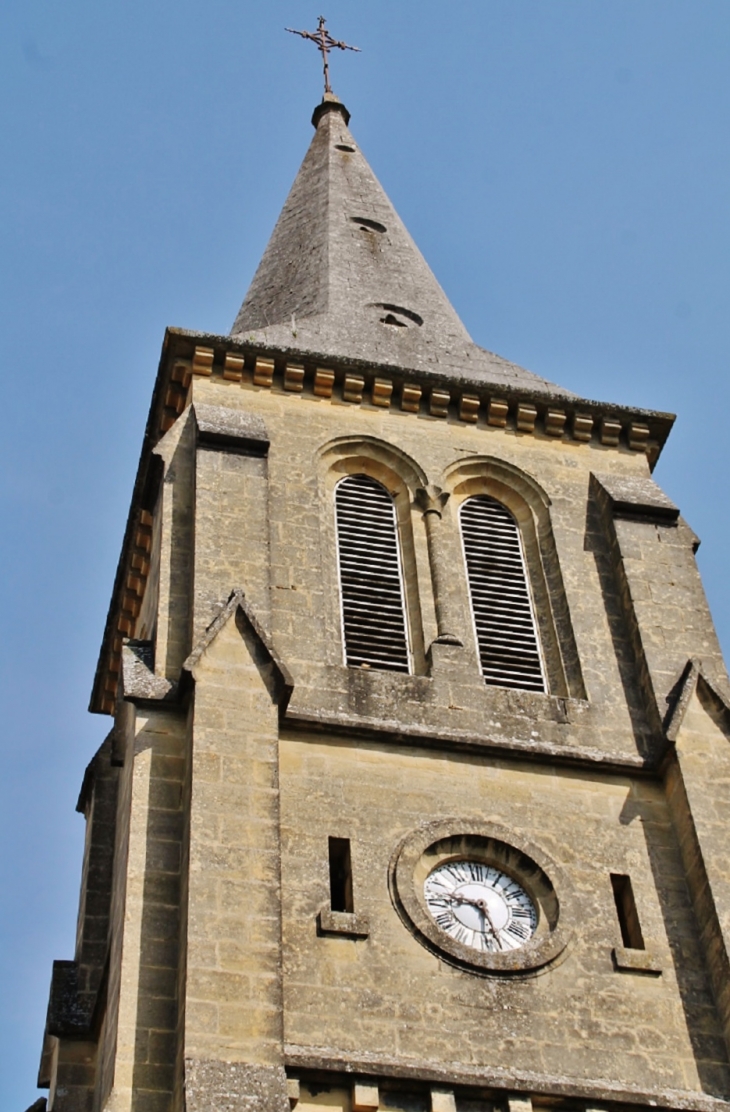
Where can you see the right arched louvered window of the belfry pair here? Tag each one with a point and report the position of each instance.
(505, 621)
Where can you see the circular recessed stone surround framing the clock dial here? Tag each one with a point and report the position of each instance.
(453, 840)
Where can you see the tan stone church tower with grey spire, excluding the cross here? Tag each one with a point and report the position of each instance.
(417, 785)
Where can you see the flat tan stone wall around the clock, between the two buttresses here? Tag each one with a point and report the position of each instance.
(387, 997)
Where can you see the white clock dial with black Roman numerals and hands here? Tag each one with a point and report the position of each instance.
(480, 907)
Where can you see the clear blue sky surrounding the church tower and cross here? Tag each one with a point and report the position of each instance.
(564, 166)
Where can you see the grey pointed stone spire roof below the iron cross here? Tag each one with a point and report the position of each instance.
(342, 275)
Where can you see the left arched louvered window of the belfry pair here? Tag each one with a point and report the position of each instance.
(371, 579)
